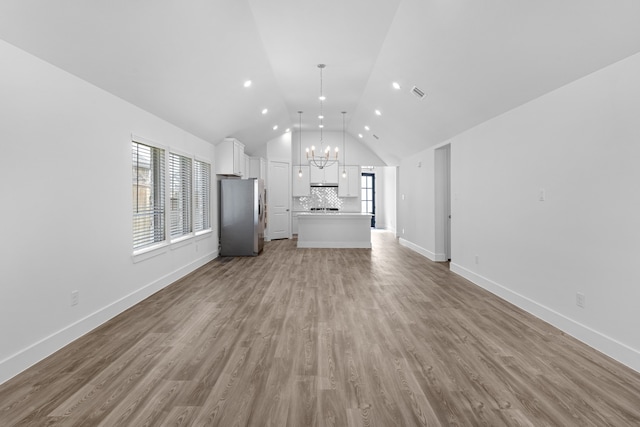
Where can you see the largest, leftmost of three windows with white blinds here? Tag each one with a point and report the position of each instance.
(148, 195)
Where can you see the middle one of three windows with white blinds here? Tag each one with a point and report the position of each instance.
(180, 189)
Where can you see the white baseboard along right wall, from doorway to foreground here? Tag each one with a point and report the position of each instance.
(600, 342)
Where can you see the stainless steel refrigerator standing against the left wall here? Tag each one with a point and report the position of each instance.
(242, 217)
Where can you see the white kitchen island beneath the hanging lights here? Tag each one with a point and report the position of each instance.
(334, 230)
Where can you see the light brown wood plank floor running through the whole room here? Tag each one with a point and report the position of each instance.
(306, 337)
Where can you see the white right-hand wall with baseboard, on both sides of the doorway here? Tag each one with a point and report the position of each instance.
(581, 145)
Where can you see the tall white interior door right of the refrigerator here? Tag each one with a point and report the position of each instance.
(279, 201)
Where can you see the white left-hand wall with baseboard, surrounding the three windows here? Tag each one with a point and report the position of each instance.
(65, 177)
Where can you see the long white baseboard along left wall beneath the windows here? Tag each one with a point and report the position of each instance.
(29, 356)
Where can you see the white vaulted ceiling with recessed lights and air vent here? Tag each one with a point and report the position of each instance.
(186, 61)
